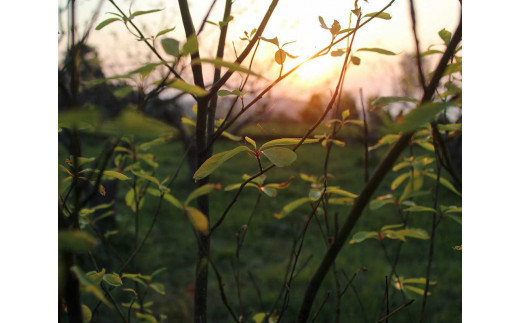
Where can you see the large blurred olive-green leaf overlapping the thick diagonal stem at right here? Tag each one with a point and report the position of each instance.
(422, 114)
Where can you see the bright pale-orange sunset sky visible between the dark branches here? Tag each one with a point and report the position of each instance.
(292, 20)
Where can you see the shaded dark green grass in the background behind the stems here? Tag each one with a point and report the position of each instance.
(267, 246)
